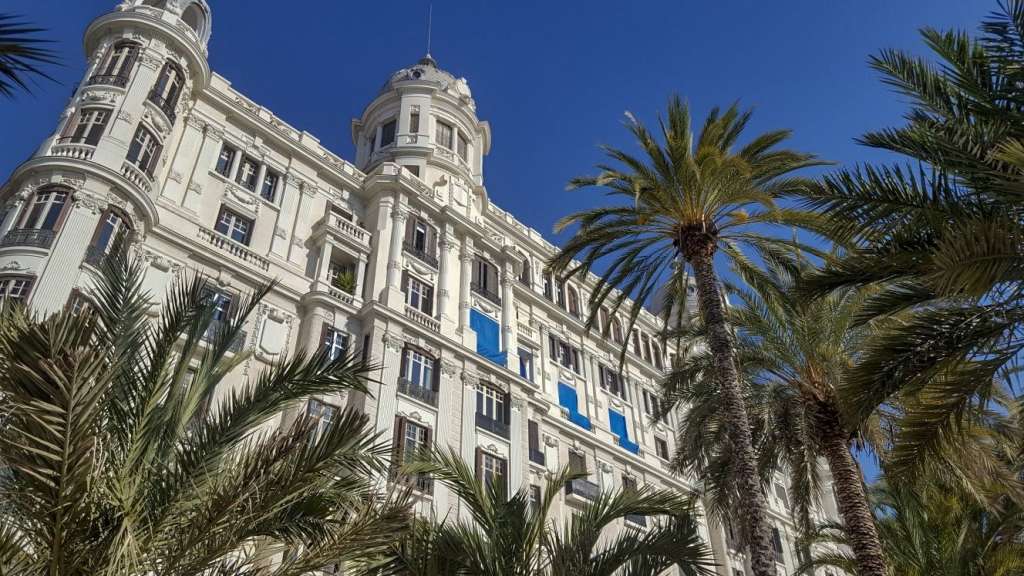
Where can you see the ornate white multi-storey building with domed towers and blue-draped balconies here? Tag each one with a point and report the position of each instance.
(401, 253)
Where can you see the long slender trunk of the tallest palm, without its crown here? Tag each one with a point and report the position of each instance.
(720, 341)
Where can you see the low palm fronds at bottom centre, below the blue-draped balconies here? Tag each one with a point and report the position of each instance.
(513, 537)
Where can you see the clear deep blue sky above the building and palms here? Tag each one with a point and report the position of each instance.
(552, 77)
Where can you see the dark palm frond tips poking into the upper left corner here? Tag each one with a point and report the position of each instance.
(21, 55)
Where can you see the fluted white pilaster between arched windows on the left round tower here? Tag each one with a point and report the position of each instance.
(61, 272)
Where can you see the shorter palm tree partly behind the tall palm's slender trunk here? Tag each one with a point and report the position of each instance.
(794, 354)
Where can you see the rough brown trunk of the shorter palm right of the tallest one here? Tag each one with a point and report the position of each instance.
(852, 504)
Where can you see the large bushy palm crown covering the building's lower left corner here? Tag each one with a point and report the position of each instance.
(119, 459)
